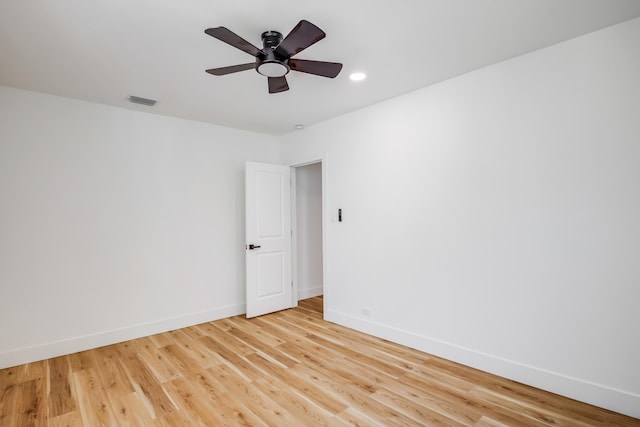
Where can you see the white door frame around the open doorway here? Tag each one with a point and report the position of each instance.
(294, 227)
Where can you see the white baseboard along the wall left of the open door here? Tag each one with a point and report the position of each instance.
(73, 345)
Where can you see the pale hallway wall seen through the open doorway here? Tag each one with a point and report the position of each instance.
(309, 230)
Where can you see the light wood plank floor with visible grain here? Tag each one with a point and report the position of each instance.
(284, 369)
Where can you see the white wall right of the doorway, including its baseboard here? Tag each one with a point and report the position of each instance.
(493, 218)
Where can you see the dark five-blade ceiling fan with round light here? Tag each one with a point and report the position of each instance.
(274, 59)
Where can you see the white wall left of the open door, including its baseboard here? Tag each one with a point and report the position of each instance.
(115, 224)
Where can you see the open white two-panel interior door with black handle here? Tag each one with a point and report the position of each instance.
(268, 234)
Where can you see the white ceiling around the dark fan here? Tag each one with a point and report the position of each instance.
(105, 50)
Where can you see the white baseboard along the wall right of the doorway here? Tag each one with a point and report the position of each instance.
(595, 394)
